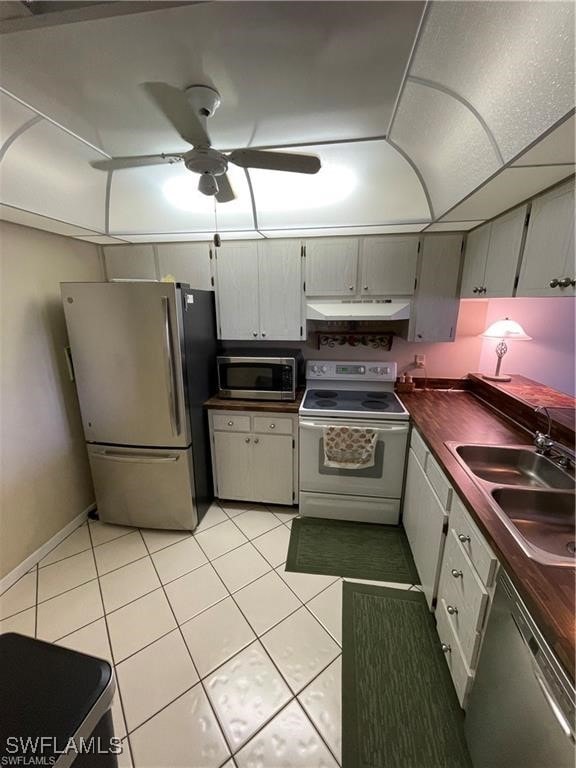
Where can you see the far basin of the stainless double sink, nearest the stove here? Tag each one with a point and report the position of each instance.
(513, 466)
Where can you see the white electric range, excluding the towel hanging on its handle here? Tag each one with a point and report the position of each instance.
(357, 394)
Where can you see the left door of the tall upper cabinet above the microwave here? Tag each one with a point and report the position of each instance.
(237, 291)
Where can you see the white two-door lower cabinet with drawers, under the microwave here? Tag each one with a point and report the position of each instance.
(249, 462)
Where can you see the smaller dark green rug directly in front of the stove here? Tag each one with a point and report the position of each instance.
(354, 550)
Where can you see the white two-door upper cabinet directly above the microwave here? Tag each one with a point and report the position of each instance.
(259, 289)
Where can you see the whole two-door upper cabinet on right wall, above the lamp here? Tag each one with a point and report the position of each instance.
(492, 256)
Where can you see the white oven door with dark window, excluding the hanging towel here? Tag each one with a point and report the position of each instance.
(383, 480)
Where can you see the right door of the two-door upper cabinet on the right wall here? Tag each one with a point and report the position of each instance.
(504, 253)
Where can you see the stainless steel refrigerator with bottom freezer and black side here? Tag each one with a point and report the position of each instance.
(143, 357)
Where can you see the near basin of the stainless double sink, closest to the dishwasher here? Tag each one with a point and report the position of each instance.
(544, 519)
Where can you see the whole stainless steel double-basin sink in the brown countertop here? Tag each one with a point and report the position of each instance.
(532, 495)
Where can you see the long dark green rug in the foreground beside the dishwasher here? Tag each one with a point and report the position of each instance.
(399, 707)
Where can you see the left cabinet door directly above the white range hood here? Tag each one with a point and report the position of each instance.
(331, 266)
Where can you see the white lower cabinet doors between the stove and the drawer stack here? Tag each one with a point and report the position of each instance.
(423, 518)
